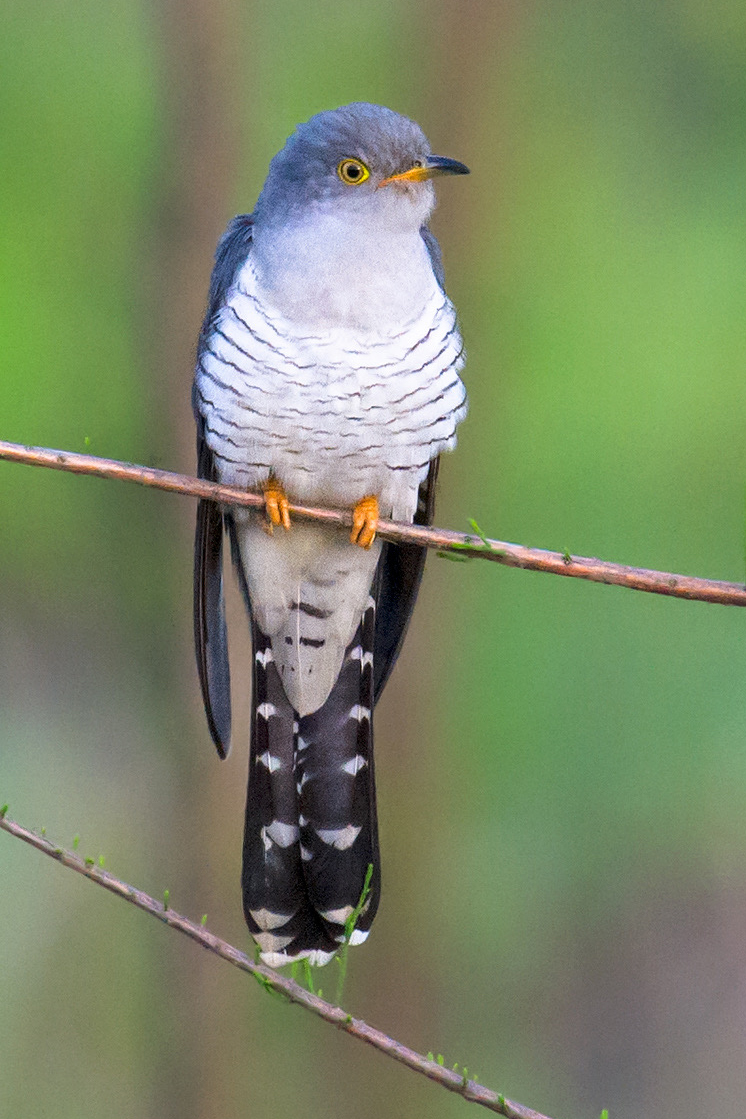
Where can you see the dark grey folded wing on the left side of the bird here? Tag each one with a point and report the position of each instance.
(211, 636)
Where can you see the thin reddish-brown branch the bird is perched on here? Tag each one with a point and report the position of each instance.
(457, 544)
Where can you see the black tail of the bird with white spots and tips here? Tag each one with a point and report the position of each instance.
(311, 830)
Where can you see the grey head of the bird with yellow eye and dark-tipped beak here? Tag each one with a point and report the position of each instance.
(364, 161)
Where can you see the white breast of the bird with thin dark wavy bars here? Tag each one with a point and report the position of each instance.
(336, 412)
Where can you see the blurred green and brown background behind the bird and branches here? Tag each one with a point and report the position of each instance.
(562, 767)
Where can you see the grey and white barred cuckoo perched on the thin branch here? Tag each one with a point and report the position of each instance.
(328, 373)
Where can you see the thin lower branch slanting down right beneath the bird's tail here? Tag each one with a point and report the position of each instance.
(276, 983)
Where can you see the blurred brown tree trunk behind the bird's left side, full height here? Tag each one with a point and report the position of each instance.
(202, 137)
